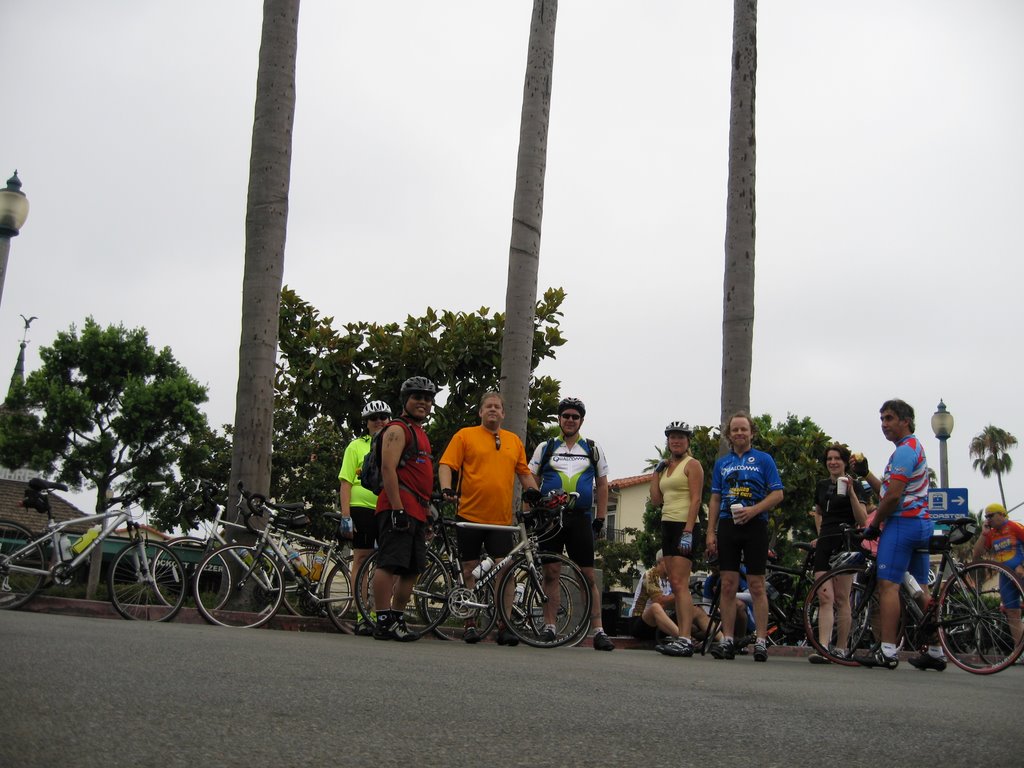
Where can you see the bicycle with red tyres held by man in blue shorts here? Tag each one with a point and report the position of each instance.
(967, 608)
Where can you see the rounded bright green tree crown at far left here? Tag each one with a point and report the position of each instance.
(105, 409)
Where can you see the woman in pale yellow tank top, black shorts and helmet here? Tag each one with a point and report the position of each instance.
(677, 488)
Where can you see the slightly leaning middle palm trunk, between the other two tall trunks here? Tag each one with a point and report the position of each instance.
(528, 211)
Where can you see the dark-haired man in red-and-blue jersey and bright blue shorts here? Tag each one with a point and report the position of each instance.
(902, 525)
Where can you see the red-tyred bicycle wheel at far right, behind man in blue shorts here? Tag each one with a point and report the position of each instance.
(980, 618)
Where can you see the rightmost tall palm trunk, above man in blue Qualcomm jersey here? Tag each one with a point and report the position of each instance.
(738, 314)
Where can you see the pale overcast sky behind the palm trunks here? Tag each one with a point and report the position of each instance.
(889, 194)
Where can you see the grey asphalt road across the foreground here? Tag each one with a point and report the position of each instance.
(84, 692)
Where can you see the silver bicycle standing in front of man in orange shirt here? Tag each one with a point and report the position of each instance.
(440, 593)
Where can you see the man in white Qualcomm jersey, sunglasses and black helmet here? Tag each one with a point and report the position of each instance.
(574, 464)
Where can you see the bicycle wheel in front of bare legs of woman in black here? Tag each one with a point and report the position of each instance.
(826, 617)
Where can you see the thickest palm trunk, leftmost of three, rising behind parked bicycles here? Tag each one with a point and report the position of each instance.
(267, 225)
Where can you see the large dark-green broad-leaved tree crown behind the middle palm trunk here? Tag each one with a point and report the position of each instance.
(323, 372)
